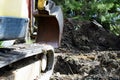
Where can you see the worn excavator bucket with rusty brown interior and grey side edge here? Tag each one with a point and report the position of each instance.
(49, 21)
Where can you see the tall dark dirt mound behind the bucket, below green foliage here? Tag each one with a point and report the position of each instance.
(87, 36)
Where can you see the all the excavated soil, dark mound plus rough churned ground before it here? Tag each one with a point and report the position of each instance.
(87, 52)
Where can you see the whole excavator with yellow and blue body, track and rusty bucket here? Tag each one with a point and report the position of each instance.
(41, 21)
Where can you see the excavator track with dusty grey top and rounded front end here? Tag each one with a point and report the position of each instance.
(26, 62)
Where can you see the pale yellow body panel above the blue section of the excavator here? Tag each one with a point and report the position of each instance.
(15, 8)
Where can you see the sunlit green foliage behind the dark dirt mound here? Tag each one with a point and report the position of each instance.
(106, 12)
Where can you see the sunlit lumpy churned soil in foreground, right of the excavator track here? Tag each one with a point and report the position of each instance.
(104, 65)
